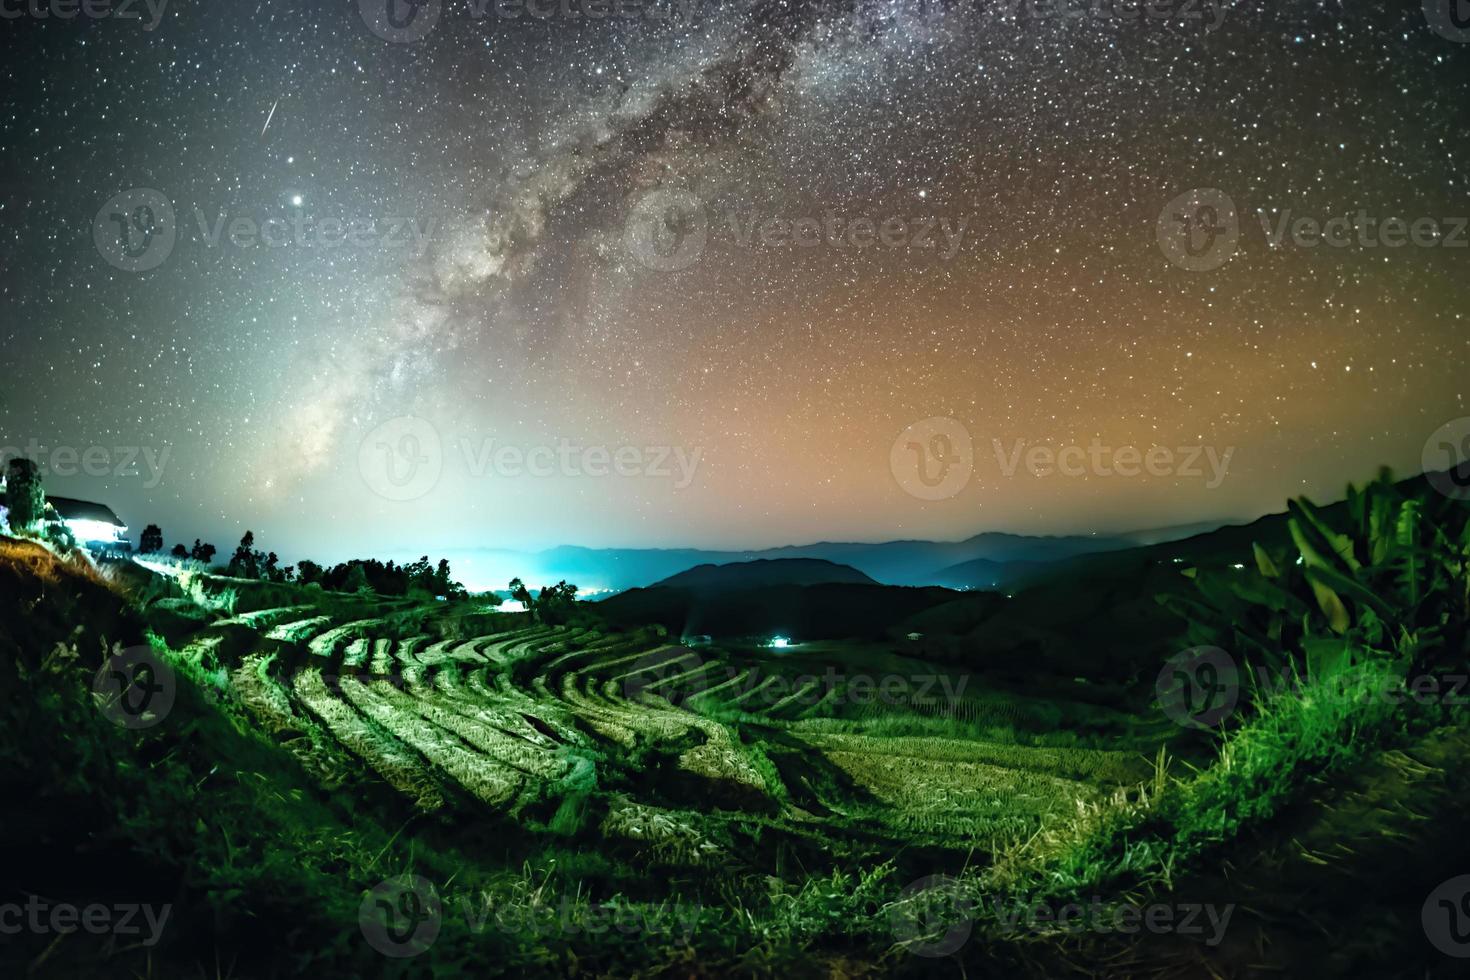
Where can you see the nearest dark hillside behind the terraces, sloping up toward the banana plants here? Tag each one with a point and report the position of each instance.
(1091, 616)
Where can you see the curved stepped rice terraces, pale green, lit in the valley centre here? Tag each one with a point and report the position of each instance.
(531, 716)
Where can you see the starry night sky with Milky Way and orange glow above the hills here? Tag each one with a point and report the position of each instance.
(580, 277)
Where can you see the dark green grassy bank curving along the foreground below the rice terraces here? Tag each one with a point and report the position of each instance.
(274, 871)
